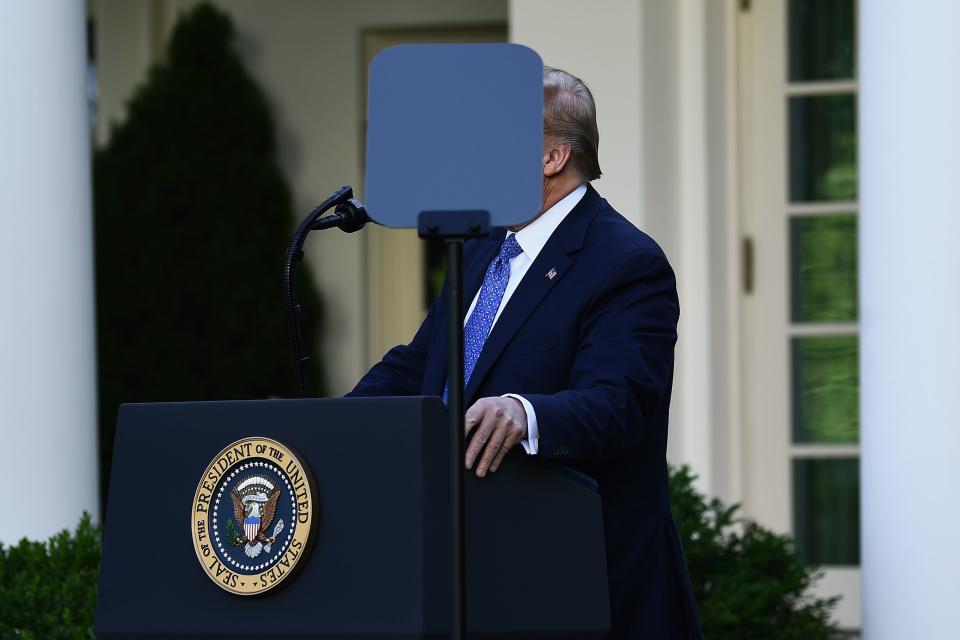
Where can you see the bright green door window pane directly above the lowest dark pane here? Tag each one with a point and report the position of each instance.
(826, 398)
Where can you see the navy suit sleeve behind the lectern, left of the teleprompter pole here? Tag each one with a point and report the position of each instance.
(400, 372)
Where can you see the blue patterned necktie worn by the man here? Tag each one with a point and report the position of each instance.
(481, 320)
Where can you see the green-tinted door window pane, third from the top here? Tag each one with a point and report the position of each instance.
(823, 268)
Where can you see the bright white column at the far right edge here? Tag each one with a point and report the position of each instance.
(910, 317)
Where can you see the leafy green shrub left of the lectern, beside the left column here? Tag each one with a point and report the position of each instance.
(48, 589)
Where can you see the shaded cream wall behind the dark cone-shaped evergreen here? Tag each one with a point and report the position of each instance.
(308, 57)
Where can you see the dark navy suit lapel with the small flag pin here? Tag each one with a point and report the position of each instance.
(536, 284)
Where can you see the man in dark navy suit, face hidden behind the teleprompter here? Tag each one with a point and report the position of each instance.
(568, 352)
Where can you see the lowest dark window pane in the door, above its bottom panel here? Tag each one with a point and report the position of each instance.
(826, 510)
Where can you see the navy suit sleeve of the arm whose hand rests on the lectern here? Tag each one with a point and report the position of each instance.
(623, 370)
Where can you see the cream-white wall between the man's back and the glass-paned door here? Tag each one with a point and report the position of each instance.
(660, 72)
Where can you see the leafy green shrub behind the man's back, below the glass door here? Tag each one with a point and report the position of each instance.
(749, 582)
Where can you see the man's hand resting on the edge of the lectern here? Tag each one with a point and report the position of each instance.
(498, 424)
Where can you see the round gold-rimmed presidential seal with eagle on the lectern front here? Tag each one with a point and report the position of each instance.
(253, 515)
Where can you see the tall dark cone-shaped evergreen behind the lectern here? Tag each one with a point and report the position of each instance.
(192, 221)
